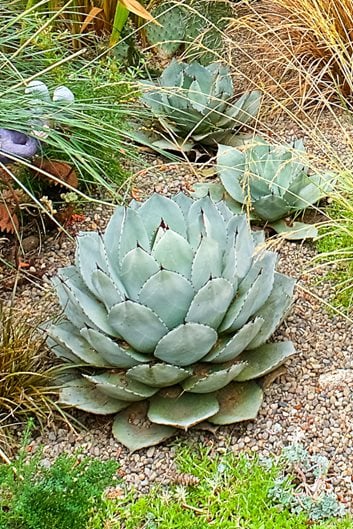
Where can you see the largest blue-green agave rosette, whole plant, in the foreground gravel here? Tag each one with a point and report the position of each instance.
(168, 315)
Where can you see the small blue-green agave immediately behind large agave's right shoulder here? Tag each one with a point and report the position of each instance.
(271, 182)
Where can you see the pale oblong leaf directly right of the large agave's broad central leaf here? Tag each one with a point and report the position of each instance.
(211, 302)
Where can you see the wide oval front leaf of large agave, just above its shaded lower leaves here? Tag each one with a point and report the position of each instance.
(186, 344)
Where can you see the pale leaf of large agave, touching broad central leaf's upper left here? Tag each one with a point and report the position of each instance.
(136, 268)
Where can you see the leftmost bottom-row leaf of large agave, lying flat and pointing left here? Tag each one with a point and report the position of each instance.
(81, 394)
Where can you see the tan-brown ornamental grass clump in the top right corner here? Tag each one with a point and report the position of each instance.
(302, 50)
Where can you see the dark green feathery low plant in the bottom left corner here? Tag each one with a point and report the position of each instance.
(62, 495)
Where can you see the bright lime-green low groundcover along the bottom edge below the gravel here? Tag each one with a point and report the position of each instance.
(211, 490)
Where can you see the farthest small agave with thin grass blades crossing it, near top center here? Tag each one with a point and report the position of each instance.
(195, 104)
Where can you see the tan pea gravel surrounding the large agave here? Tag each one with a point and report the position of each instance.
(311, 401)
